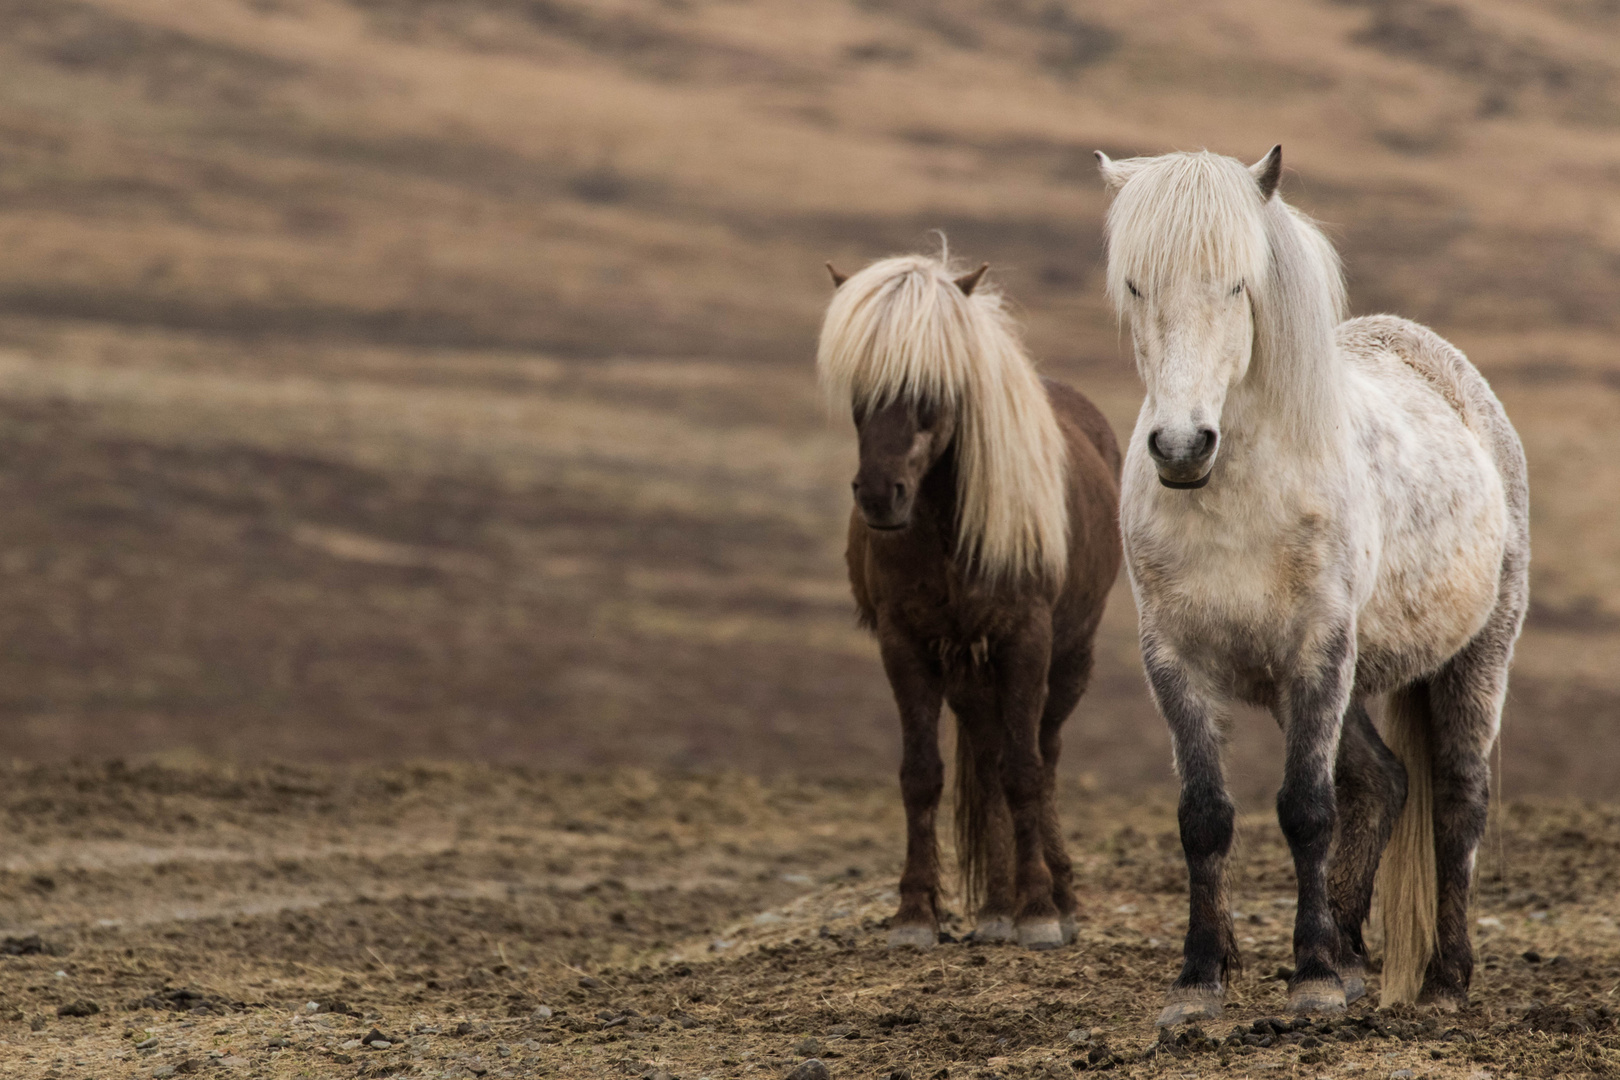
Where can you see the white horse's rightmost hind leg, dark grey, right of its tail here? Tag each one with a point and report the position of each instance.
(1465, 708)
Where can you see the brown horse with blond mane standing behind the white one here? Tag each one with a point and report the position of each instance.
(983, 548)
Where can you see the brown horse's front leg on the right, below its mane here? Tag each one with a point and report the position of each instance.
(1021, 666)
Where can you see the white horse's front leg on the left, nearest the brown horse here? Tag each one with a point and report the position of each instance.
(1206, 817)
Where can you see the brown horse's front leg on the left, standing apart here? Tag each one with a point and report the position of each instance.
(918, 692)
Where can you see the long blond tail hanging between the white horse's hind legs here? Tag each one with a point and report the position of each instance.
(1409, 898)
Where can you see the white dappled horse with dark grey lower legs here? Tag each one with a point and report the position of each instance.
(1315, 512)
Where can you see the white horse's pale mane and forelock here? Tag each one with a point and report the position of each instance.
(1203, 216)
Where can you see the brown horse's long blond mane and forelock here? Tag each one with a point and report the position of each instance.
(903, 330)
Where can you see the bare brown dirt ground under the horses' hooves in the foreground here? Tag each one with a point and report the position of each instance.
(169, 921)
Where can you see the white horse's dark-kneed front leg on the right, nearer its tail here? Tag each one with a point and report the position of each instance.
(1311, 708)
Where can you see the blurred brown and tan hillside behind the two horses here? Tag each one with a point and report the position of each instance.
(404, 378)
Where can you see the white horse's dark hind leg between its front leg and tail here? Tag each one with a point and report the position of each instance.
(1371, 789)
